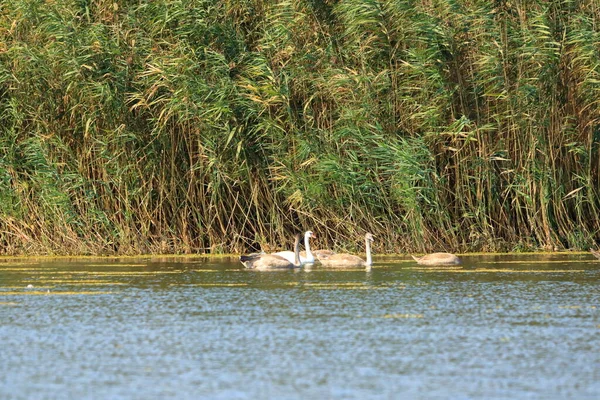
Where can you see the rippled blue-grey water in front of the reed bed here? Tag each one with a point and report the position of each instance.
(503, 327)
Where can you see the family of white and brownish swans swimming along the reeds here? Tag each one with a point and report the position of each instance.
(329, 259)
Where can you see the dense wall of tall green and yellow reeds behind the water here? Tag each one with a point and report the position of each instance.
(220, 126)
